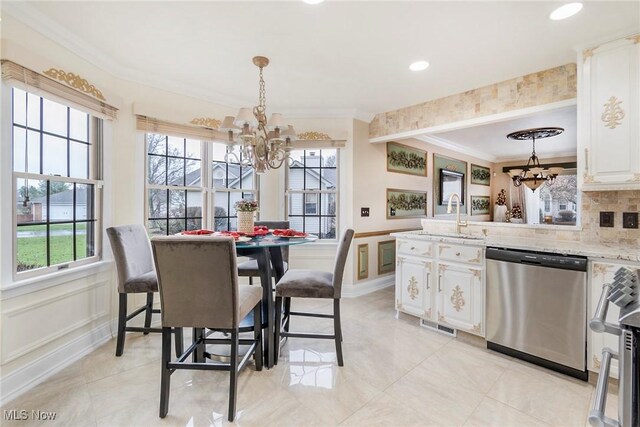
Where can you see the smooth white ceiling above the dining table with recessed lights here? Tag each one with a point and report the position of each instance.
(335, 58)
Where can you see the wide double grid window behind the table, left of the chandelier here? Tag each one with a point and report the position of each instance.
(179, 189)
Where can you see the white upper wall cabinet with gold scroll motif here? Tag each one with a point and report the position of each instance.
(609, 116)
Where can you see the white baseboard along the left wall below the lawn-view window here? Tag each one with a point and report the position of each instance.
(29, 376)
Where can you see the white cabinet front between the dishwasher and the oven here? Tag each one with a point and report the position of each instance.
(601, 273)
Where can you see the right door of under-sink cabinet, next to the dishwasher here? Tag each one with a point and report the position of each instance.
(461, 297)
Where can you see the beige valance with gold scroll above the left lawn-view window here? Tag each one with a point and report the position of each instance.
(51, 88)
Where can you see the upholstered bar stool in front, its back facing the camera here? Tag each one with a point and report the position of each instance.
(198, 283)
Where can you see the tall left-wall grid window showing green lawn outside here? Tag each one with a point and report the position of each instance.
(55, 181)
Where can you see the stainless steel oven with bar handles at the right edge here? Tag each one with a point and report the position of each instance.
(624, 293)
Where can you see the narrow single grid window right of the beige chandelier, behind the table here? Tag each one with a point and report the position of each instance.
(311, 196)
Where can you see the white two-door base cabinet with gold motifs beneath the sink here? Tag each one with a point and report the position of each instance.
(442, 283)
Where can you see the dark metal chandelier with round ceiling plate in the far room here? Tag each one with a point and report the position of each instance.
(533, 175)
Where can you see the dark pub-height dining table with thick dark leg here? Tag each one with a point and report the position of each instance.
(266, 250)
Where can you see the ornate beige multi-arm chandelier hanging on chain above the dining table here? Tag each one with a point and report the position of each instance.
(263, 144)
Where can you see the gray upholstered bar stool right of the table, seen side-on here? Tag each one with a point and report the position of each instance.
(314, 284)
